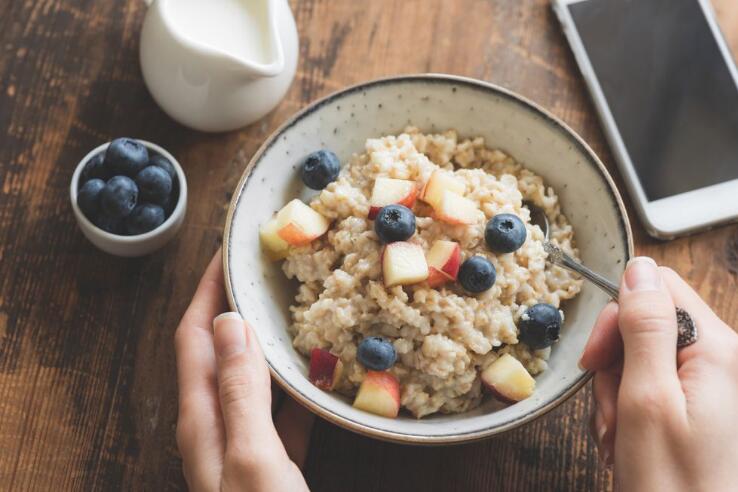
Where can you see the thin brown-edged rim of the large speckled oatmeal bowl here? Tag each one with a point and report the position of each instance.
(525, 104)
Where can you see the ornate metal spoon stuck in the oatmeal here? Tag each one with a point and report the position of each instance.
(686, 326)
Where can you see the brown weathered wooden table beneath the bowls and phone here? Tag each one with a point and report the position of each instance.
(87, 379)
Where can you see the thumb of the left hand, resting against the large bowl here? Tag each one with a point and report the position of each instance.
(244, 390)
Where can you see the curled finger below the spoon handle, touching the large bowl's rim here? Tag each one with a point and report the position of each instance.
(605, 345)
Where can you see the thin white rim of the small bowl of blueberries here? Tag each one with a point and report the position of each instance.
(167, 224)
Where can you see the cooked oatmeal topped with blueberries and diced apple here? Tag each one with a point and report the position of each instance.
(441, 332)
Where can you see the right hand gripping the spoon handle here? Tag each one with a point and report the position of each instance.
(666, 418)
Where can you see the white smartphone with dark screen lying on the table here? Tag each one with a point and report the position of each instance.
(665, 86)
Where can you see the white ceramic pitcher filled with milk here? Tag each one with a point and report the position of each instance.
(218, 65)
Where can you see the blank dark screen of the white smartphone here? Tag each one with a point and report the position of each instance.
(669, 89)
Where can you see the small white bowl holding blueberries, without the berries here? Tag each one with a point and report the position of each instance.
(142, 244)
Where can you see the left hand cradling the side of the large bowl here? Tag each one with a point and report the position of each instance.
(225, 430)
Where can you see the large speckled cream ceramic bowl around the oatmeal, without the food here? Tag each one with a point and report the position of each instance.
(342, 122)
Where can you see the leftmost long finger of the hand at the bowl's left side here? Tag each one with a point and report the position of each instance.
(200, 435)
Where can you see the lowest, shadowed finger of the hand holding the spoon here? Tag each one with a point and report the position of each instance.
(605, 389)
